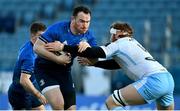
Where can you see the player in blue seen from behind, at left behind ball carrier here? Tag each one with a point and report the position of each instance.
(24, 92)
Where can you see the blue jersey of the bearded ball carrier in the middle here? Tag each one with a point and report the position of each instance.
(61, 32)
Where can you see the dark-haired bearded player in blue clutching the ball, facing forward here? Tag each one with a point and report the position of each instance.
(53, 69)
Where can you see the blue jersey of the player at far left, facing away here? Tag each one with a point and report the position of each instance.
(24, 64)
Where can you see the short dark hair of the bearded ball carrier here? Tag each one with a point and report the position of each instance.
(81, 8)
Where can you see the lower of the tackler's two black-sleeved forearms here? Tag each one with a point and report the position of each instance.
(107, 64)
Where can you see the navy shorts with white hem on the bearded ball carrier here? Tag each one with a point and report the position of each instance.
(45, 78)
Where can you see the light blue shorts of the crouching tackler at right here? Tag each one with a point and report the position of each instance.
(156, 87)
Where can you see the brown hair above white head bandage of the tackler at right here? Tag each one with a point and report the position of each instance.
(123, 26)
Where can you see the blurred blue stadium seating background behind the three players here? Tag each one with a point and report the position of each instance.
(156, 26)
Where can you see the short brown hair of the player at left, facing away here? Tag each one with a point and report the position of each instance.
(37, 26)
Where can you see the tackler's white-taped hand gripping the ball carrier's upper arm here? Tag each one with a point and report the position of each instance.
(54, 46)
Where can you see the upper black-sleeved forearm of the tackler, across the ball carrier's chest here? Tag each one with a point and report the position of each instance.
(93, 52)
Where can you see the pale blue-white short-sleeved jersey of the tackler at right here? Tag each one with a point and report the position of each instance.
(136, 61)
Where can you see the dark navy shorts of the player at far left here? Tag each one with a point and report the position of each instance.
(22, 100)
